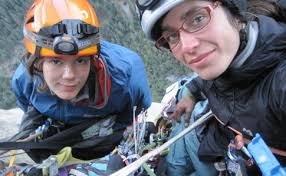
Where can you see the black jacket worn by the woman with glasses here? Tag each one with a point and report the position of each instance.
(251, 98)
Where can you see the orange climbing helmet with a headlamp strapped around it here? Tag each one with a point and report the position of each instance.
(54, 28)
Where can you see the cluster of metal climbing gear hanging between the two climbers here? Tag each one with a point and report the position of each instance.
(141, 138)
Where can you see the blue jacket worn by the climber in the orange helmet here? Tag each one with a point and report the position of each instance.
(129, 88)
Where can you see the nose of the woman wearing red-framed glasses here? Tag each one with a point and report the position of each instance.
(188, 41)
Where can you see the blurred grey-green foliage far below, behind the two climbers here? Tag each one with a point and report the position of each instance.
(119, 24)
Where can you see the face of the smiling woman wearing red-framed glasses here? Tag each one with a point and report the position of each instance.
(208, 51)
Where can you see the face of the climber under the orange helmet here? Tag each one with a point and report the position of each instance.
(66, 76)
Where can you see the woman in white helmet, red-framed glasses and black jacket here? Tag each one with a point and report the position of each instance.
(238, 50)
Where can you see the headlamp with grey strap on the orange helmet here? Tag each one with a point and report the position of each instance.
(65, 38)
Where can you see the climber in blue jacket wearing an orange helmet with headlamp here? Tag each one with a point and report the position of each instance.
(85, 85)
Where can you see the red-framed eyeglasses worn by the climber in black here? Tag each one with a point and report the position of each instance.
(194, 21)
